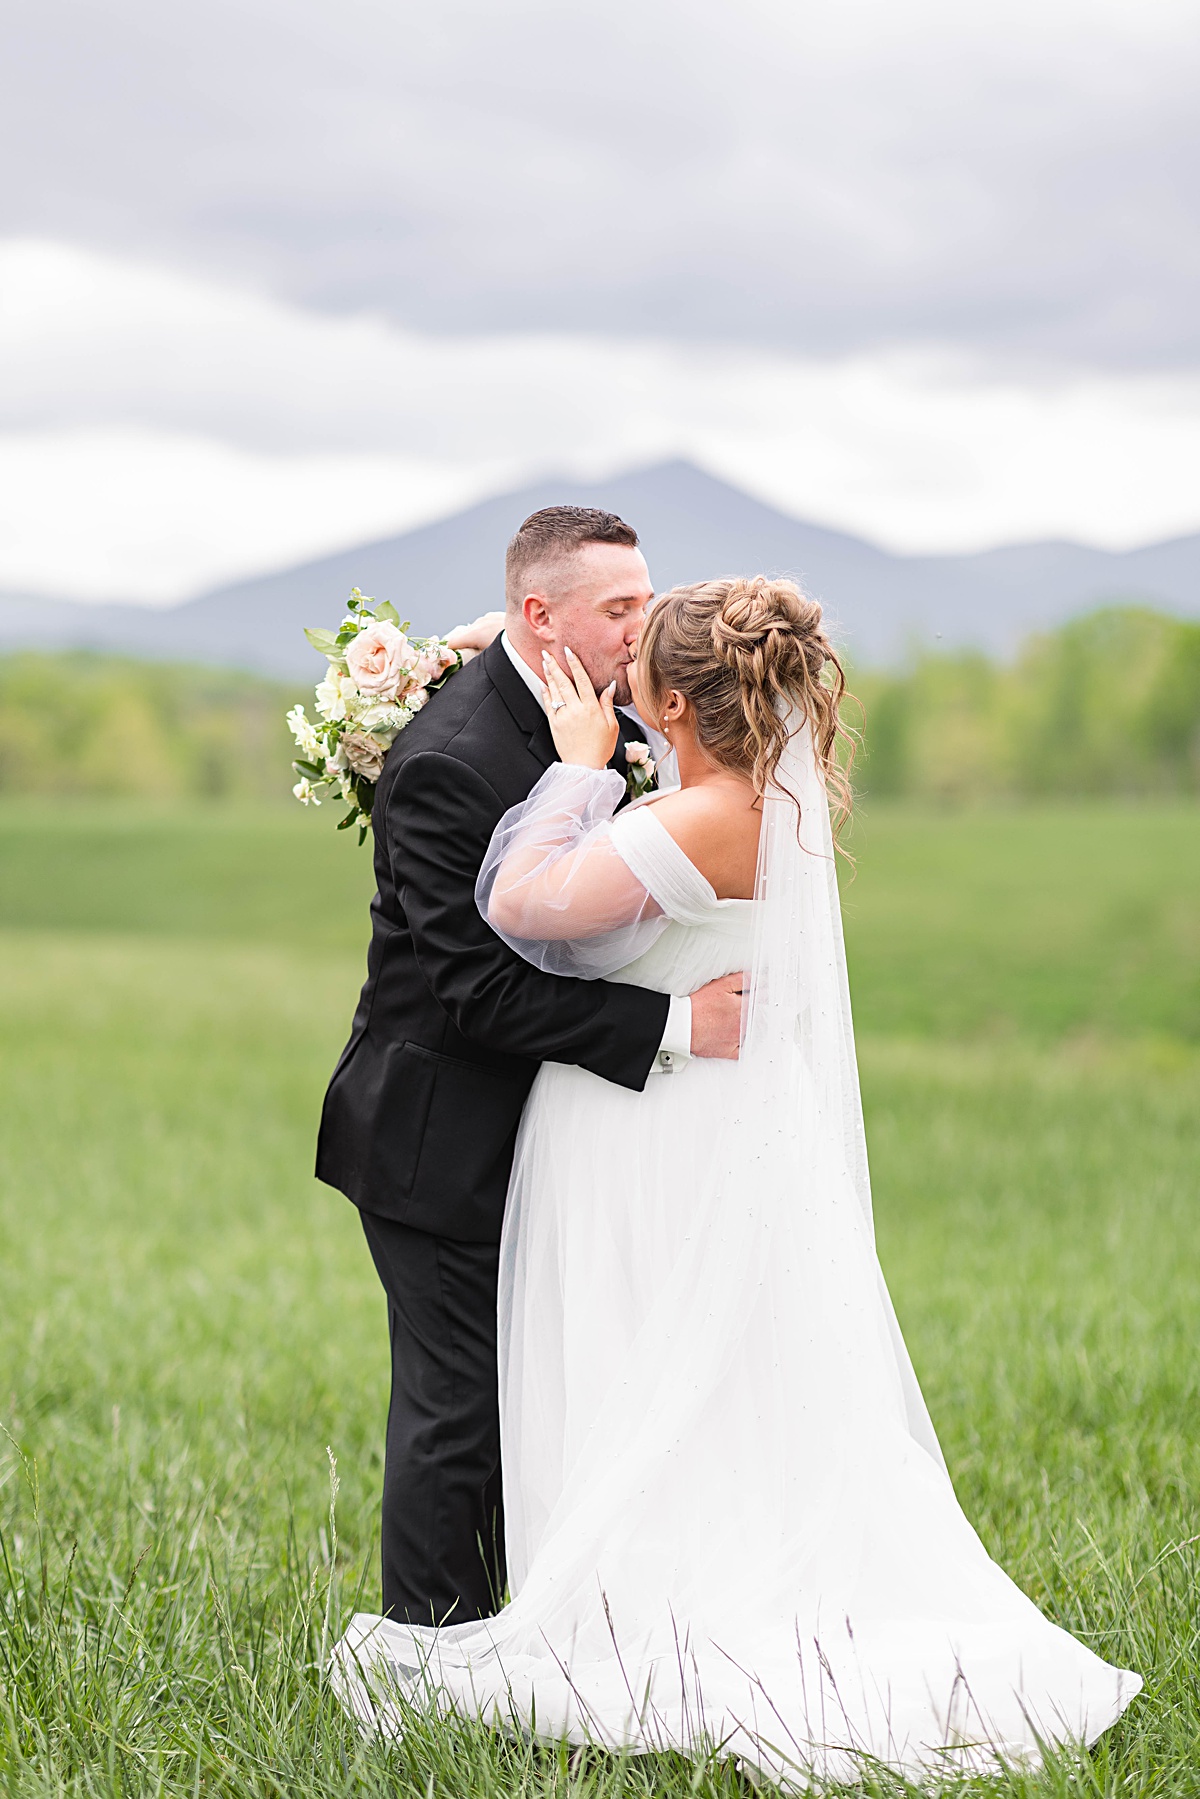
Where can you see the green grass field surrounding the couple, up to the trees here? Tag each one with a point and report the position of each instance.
(190, 1325)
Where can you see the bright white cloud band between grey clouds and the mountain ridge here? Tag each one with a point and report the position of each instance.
(163, 433)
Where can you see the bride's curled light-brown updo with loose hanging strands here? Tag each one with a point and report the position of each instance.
(742, 652)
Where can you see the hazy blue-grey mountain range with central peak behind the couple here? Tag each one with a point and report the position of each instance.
(692, 526)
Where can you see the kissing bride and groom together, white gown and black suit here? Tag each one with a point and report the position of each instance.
(600, 1114)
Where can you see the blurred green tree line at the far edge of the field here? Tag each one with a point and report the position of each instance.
(1107, 704)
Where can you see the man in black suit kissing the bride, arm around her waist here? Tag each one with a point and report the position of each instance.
(422, 1113)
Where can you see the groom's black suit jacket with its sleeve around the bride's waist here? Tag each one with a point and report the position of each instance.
(422, 1113)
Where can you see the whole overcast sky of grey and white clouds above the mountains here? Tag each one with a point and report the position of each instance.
(283, 274)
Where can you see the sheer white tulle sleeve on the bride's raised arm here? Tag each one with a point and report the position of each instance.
(555, 886)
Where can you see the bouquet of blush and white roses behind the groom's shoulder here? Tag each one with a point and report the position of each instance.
(379, 681)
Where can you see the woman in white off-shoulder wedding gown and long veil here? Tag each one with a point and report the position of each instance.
(730, 1525)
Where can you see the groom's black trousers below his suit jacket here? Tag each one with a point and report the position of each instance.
(443, 1523)
